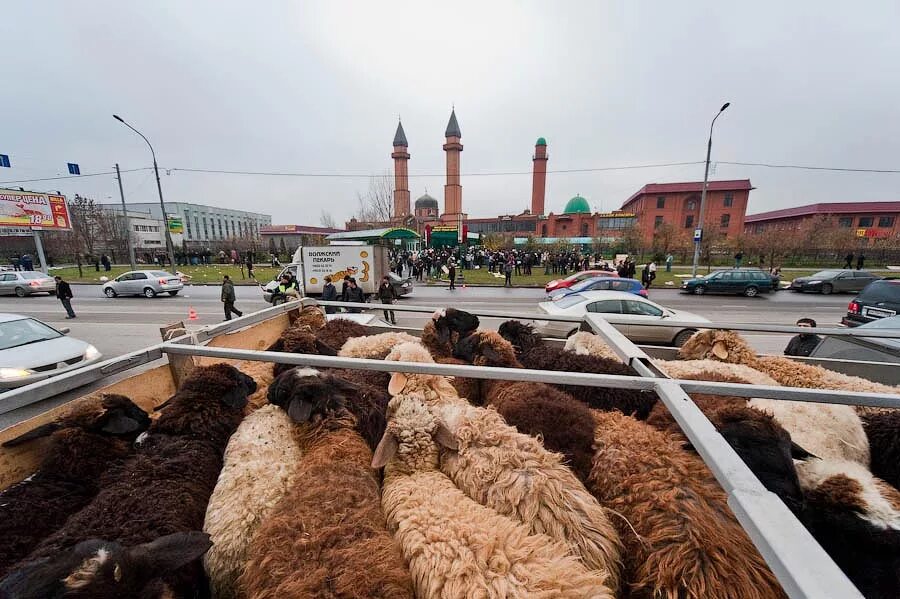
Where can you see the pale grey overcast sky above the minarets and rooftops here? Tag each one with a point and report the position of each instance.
(316, 87)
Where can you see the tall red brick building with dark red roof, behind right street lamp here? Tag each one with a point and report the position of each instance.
(679, 204)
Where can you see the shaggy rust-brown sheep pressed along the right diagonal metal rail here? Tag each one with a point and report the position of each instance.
(680, 538)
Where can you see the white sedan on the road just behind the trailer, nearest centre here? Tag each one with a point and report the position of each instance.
(632, 309)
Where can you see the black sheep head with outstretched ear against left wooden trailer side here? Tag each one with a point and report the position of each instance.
(116, 415)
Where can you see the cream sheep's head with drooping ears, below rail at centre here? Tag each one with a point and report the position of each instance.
(413, 434)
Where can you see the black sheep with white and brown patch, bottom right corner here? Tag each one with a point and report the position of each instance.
(856, 519)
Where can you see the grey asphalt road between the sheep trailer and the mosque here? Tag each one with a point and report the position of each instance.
(119, 325)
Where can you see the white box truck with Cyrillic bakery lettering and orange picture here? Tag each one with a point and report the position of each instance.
(310, 265)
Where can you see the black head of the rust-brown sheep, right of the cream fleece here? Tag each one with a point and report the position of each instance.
(307, 395)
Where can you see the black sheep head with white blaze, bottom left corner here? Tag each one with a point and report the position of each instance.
(105, 569)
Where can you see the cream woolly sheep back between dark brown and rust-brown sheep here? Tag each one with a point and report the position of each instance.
(259, 466)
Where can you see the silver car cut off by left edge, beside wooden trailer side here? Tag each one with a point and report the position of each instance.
(31, 350)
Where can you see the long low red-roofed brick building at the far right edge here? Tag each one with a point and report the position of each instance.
(870, 220)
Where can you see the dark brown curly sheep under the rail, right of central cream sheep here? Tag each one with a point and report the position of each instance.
(564, 424)
